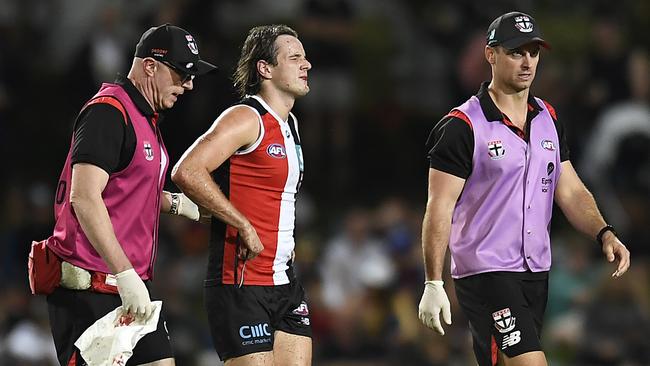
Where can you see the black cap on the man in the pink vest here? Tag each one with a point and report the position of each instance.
(175, 46)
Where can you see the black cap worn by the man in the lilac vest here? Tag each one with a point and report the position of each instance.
(515, 29)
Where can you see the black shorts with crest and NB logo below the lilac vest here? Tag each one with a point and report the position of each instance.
(505, 312)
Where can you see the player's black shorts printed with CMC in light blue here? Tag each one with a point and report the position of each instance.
(243, 320)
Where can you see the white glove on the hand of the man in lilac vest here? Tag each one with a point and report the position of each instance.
(434, 299)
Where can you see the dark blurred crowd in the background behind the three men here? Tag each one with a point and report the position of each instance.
(383, 73)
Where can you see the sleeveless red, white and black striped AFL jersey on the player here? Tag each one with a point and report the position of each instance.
(261, 182)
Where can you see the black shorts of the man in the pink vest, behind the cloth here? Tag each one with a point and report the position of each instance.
(72, 312)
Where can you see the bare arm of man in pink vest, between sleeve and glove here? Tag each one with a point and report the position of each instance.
(88, 182)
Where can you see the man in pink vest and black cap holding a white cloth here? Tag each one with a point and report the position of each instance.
(110, 195)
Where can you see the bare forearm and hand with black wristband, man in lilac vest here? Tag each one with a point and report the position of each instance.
(579, 207)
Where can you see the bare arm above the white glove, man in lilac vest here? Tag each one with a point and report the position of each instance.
(444, 190)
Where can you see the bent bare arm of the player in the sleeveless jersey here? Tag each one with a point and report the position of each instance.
(237, 128)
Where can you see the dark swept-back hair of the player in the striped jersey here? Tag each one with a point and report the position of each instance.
(259, 45)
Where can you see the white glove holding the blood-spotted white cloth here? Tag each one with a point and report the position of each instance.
(134, 294)
